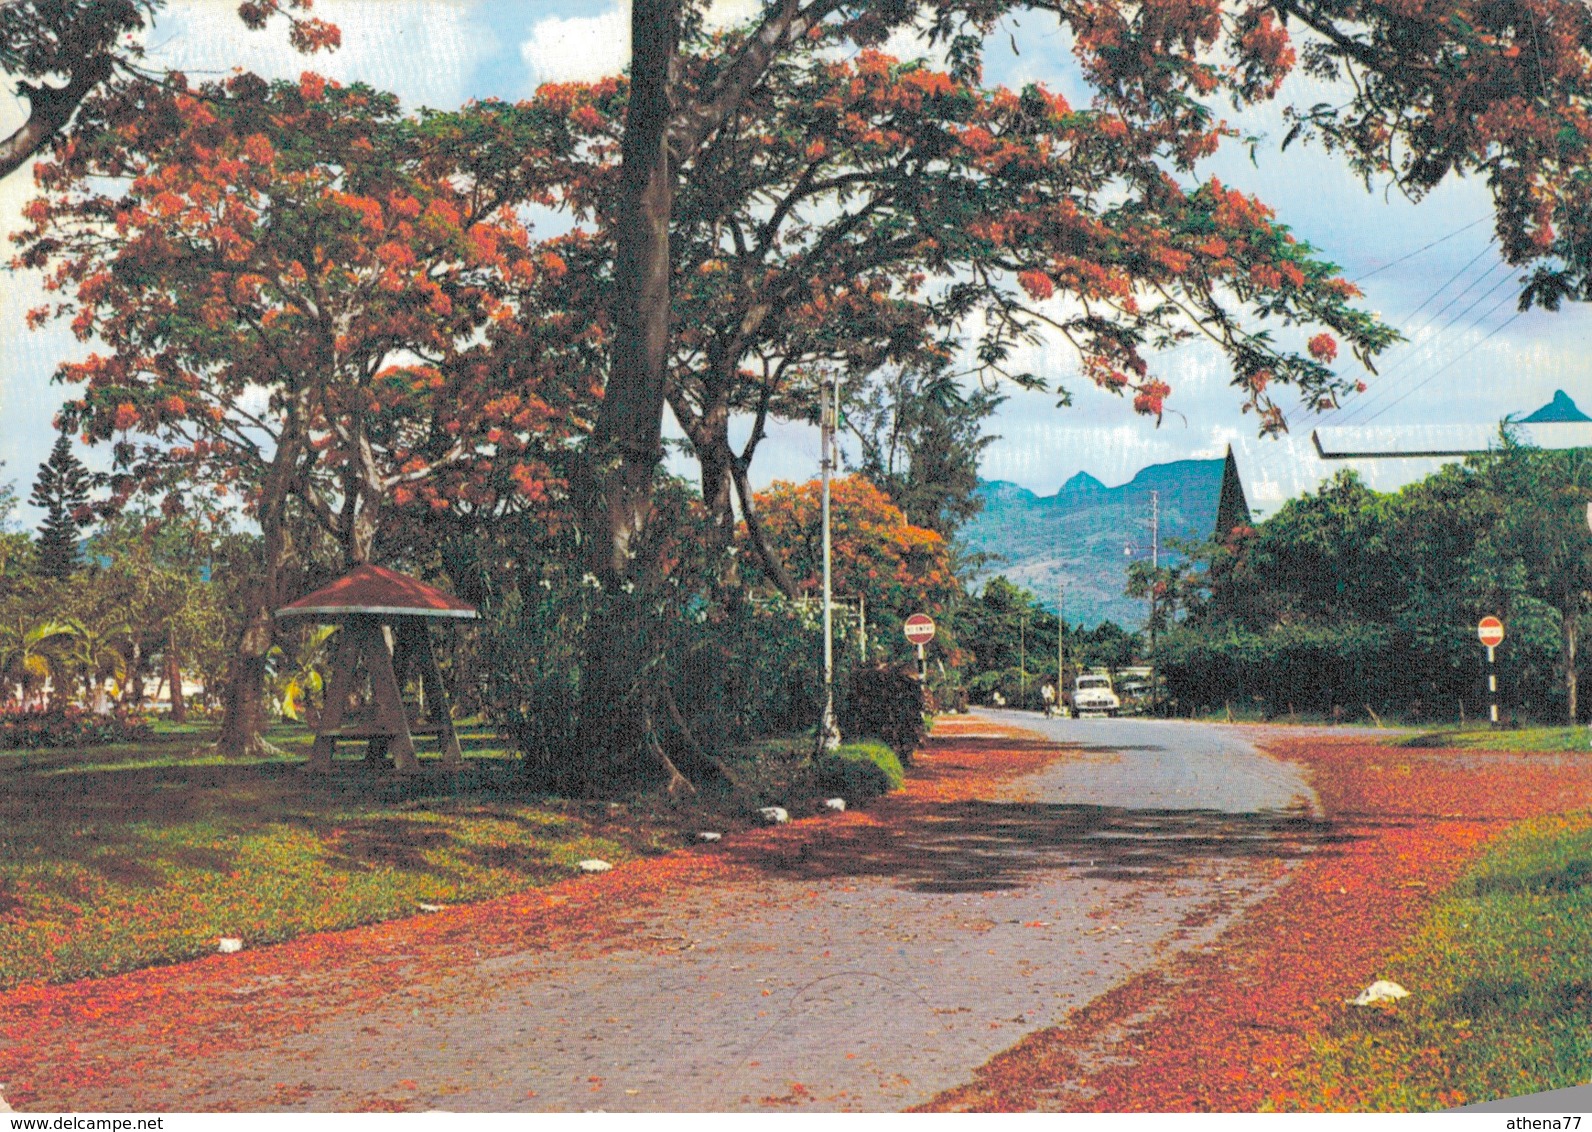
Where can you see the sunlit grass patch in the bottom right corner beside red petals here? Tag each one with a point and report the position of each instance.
(1500, 982)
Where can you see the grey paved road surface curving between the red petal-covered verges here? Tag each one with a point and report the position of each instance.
(870, 975)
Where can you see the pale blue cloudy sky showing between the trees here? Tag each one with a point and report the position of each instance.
(1470, 361)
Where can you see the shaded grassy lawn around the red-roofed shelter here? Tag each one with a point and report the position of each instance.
(139, 854)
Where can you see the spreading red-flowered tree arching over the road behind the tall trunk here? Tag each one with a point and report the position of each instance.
(864, 213)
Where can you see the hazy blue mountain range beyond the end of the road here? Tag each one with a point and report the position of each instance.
(1077, 537)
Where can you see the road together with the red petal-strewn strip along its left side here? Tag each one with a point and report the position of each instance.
(867, 961)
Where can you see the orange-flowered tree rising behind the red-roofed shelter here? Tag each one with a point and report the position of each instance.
(305, 302)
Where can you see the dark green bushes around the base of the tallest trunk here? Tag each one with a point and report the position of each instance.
(727, 665)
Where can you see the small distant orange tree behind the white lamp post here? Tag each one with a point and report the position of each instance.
(878, 555)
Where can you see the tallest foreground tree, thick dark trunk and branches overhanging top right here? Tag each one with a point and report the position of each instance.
(1497, 90)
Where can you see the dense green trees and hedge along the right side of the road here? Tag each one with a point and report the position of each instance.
(1349, 598)
